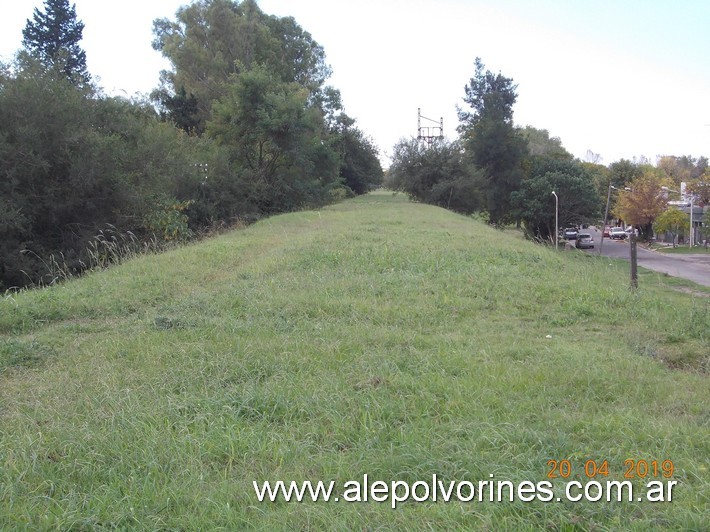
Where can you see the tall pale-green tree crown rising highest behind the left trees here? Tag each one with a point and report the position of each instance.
(212, 40)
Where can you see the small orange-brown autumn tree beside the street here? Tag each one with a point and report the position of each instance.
(643, 203)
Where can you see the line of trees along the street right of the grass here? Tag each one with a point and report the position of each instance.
(507, 173)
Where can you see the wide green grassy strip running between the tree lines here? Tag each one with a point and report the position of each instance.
(377, 337)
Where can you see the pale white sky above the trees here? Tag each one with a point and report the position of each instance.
(623, 78)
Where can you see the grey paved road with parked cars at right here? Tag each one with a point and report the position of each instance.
(693, 267)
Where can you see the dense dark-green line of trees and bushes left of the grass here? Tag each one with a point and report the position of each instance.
(243, 126)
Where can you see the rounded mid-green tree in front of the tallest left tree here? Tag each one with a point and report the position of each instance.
(276, 140)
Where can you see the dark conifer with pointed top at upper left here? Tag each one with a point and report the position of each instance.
(53, 38)
